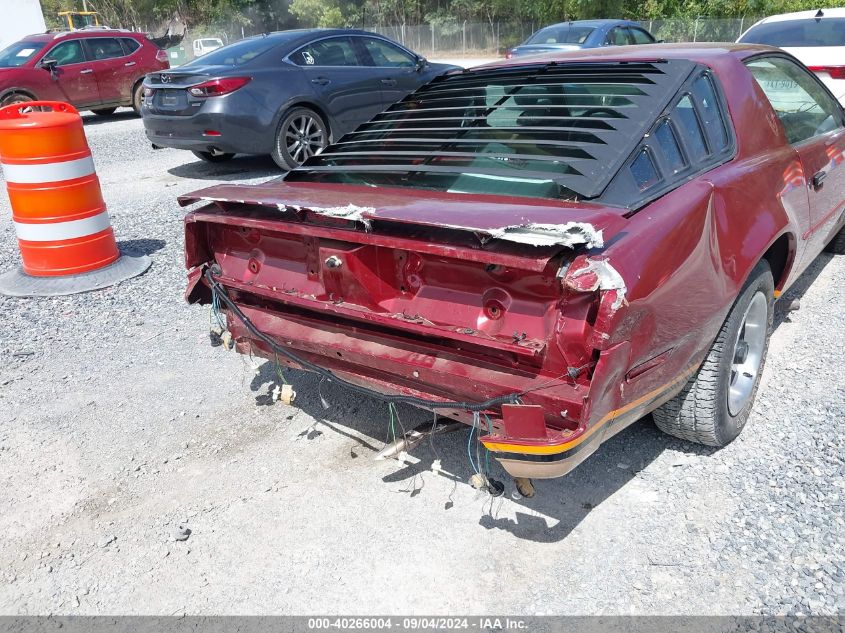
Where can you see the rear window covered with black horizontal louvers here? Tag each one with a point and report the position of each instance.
(546, 130)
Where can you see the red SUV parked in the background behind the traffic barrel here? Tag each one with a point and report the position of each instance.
(98, 69)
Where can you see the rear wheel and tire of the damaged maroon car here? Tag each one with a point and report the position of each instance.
(714, 405)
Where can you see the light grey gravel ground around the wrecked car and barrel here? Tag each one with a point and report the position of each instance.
(121, 429)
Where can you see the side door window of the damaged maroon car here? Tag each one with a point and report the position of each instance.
(804, 108)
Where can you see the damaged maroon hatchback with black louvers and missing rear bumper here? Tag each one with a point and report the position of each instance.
(547, 250)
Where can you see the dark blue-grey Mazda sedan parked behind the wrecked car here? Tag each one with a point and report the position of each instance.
(286, 94)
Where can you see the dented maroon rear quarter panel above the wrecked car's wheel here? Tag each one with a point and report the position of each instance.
(686, 256)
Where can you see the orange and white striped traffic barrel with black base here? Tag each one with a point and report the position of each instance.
(66, 241)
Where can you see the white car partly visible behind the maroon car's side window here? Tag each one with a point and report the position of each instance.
(816, 38)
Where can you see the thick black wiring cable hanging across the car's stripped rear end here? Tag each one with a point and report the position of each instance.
(220, 294)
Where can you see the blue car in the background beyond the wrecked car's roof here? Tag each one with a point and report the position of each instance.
(570, 36)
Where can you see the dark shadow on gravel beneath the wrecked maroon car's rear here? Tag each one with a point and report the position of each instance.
(559, 505)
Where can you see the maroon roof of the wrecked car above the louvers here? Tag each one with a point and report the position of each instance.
(702, 53)
